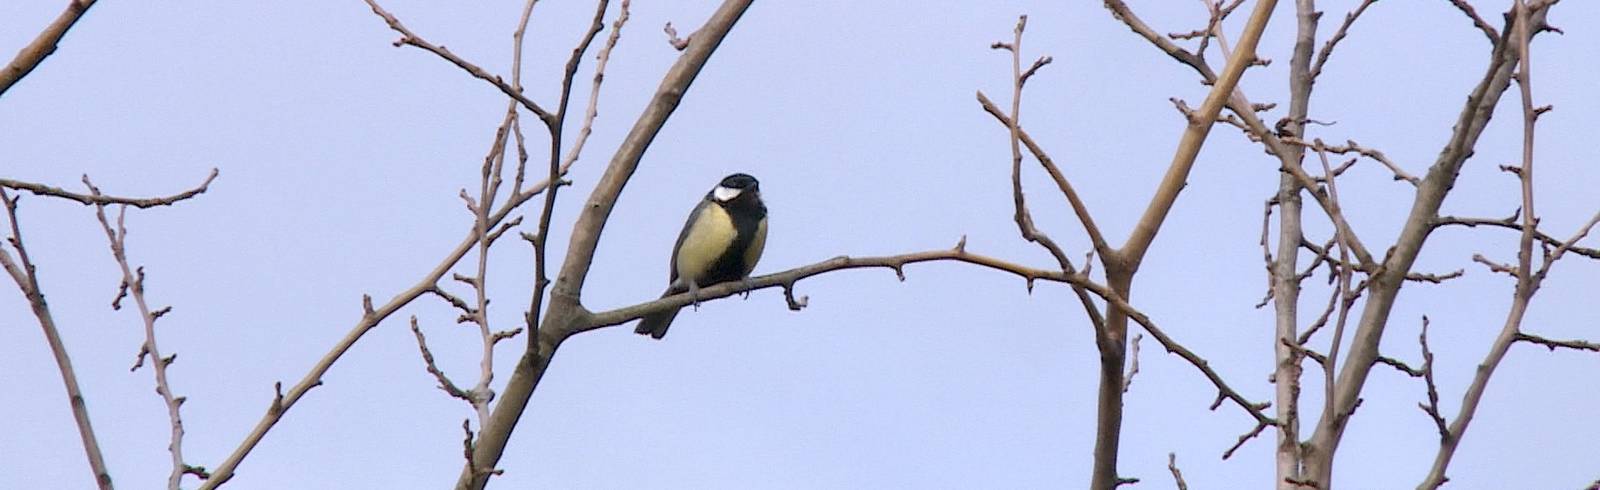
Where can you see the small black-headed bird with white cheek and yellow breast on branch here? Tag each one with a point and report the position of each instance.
(722, 241)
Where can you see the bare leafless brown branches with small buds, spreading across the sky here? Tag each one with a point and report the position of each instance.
(1364, 283)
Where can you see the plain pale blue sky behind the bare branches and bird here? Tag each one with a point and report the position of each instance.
(342, 159)
